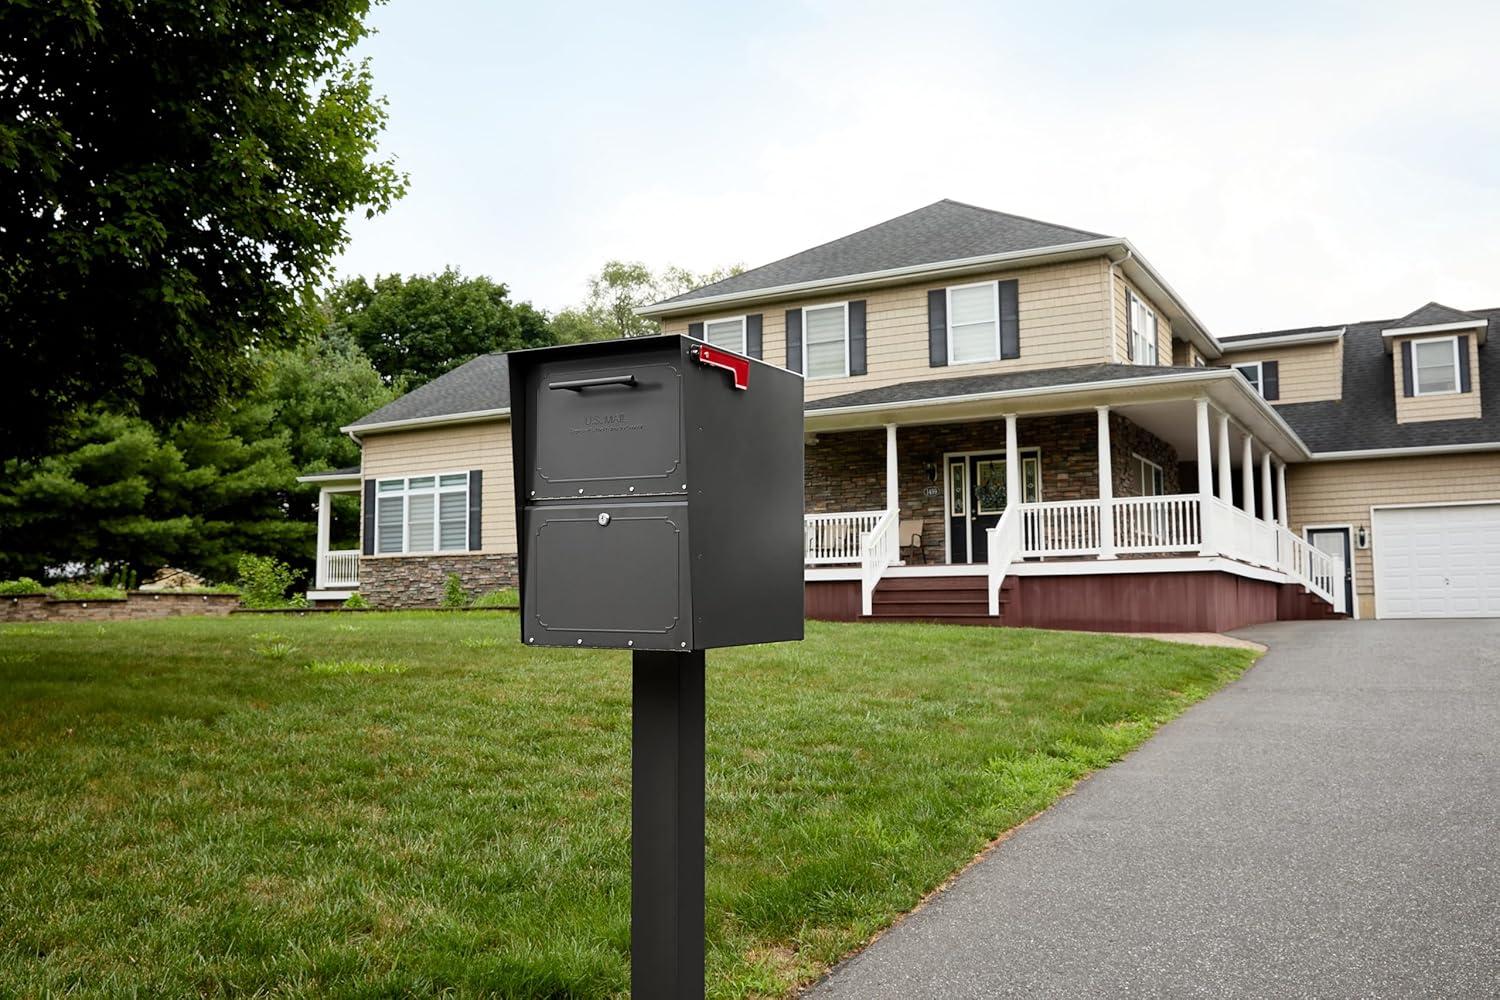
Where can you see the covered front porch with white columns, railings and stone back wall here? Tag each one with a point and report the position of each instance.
(1144, 481)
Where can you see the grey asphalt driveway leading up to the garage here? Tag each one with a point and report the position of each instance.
(1327, 827)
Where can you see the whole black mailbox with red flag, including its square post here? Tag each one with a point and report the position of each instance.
(659, 509)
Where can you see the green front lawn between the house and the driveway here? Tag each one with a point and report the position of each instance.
(416, 804)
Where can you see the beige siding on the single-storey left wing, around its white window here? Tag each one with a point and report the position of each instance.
(482, 446)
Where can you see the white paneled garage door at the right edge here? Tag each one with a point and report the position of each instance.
(1438, 561)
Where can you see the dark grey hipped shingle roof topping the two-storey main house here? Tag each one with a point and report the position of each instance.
(941, 232)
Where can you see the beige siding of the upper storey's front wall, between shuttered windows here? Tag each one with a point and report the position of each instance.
(1063, 322)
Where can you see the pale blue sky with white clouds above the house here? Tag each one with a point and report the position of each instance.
(1280, 164)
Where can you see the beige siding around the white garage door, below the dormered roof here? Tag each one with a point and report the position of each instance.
(1343, 494)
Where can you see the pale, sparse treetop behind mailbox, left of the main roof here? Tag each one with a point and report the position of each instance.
(619, 290)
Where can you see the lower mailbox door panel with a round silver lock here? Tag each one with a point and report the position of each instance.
(608, 575)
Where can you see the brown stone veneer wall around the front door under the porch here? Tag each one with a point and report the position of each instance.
(847, 472)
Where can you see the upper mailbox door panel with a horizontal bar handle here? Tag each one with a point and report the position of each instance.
(607, 430)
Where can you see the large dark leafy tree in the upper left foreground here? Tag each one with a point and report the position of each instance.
(175, 175)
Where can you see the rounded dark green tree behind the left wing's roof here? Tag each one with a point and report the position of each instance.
(415, 329)
